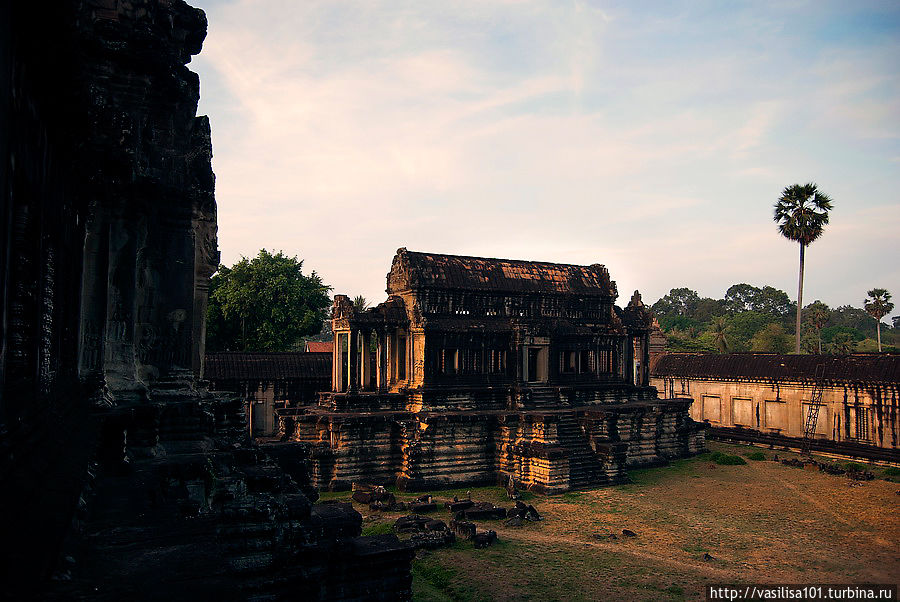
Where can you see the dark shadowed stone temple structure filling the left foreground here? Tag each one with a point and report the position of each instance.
(122, 477)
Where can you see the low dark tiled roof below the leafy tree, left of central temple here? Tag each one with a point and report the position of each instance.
(267, 366)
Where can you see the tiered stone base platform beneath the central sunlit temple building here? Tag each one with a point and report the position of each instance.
(550, 449)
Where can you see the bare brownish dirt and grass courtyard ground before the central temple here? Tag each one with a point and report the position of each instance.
(762, 522)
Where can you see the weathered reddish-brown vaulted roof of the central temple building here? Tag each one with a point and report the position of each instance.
(461, 272)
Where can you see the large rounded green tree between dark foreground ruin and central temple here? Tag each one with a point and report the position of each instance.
(264, 304)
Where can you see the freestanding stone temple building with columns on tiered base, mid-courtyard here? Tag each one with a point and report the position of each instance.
(480, 370)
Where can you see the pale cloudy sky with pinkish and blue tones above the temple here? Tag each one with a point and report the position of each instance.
(652, 137)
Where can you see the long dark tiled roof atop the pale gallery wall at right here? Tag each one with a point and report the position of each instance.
(880, 368)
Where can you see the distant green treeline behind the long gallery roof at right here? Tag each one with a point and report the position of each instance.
(749, 318)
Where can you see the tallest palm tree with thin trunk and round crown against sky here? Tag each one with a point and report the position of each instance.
(801, 213)
